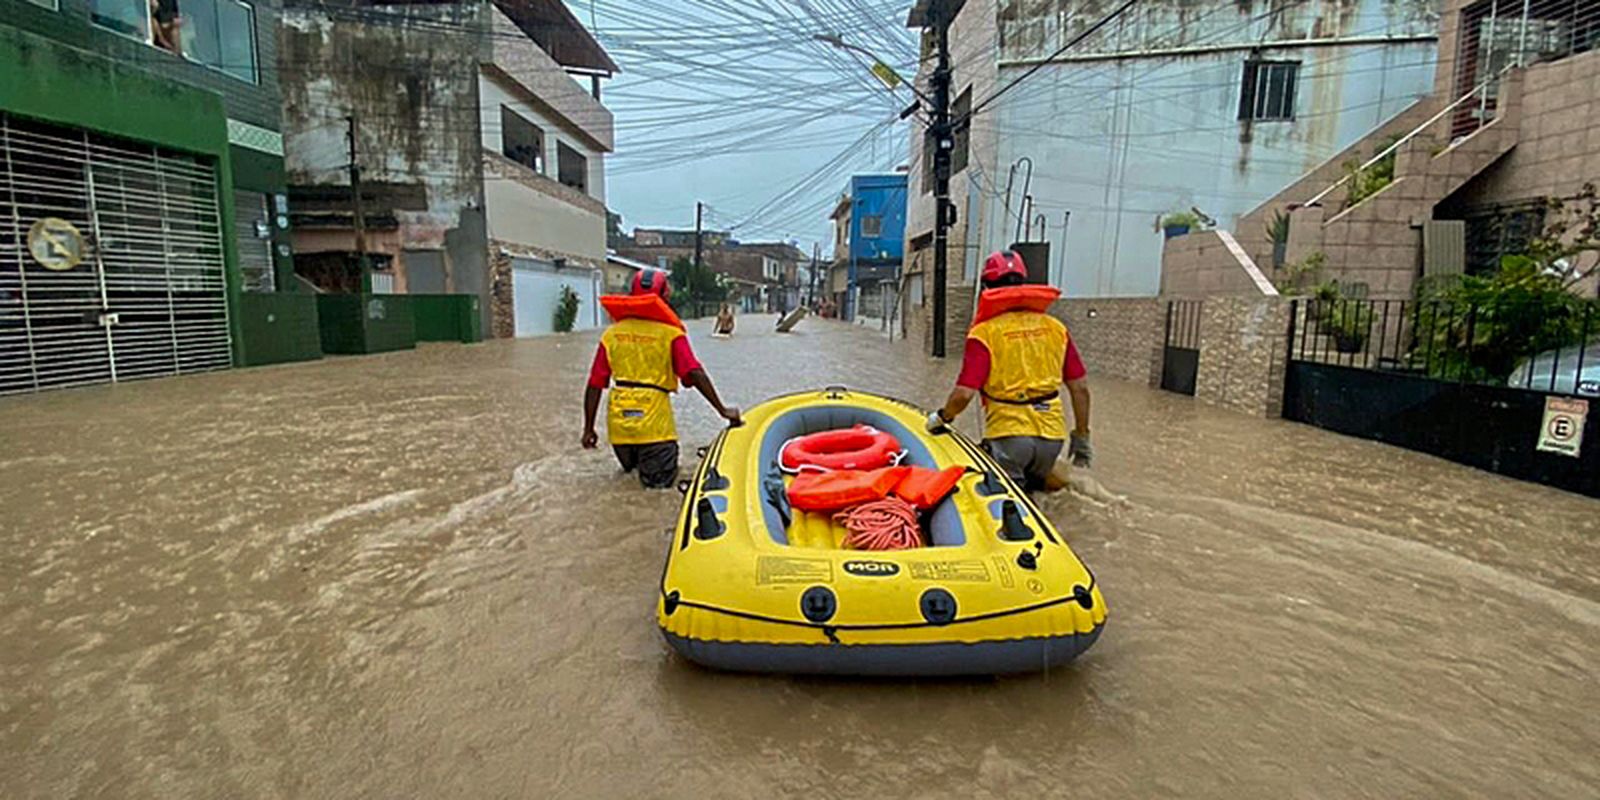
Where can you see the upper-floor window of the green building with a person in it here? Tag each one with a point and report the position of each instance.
(220, 34)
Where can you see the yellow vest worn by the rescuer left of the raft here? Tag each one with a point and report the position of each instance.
(639, 409)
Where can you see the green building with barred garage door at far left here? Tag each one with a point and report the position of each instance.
(143, 194)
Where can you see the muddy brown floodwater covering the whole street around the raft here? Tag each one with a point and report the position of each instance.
(399, 577)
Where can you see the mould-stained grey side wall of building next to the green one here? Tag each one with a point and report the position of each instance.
(412, 84)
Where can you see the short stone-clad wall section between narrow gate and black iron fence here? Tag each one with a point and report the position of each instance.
(1242, 354)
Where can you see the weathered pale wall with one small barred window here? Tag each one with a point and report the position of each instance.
(1119, 138)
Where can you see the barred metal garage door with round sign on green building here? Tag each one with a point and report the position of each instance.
(111, 260)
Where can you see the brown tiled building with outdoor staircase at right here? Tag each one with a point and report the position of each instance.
(1508, 126)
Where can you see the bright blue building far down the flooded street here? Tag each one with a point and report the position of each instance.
(870, 244)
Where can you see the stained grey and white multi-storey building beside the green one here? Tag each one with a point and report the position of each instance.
(482, 156)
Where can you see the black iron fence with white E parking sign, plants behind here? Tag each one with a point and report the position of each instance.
(1462, 382)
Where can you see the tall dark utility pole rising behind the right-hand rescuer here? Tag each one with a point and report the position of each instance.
(937, 17)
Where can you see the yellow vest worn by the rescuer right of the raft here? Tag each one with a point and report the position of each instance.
(1023, 393)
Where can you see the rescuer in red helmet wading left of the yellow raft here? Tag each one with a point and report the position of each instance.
(642, 358)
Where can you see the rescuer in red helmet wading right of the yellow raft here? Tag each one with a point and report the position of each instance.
(1017, 358)
